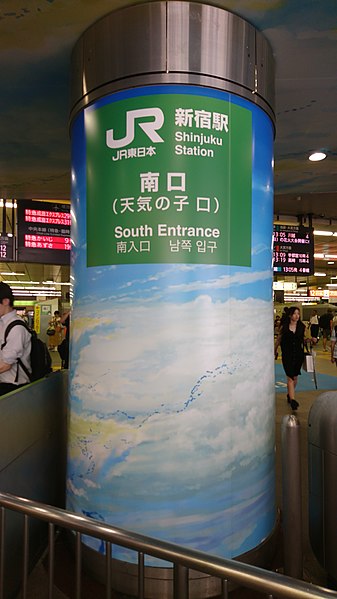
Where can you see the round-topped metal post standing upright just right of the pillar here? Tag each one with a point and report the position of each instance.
(292, 497)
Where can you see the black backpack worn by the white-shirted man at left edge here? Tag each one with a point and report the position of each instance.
(39, 356)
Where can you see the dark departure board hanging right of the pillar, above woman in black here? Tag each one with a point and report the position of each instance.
(293, 250)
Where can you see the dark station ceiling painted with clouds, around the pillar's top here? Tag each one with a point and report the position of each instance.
(36, 40)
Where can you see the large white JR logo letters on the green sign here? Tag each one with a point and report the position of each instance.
(149, 127)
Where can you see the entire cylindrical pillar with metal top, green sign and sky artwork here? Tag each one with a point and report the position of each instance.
(172, 379)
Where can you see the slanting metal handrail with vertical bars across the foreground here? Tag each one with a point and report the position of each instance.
(182, 558)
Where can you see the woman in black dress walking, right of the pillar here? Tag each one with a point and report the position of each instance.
(291, 339)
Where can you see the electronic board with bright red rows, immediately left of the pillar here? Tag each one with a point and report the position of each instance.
(43, 232)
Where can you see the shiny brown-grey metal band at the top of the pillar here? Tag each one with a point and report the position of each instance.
(172, 43)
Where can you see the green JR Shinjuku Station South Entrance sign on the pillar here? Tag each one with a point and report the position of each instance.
(169, 180)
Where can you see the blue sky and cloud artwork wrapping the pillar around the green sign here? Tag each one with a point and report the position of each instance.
(171, 430)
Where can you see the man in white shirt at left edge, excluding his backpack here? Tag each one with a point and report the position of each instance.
(16, 347)
